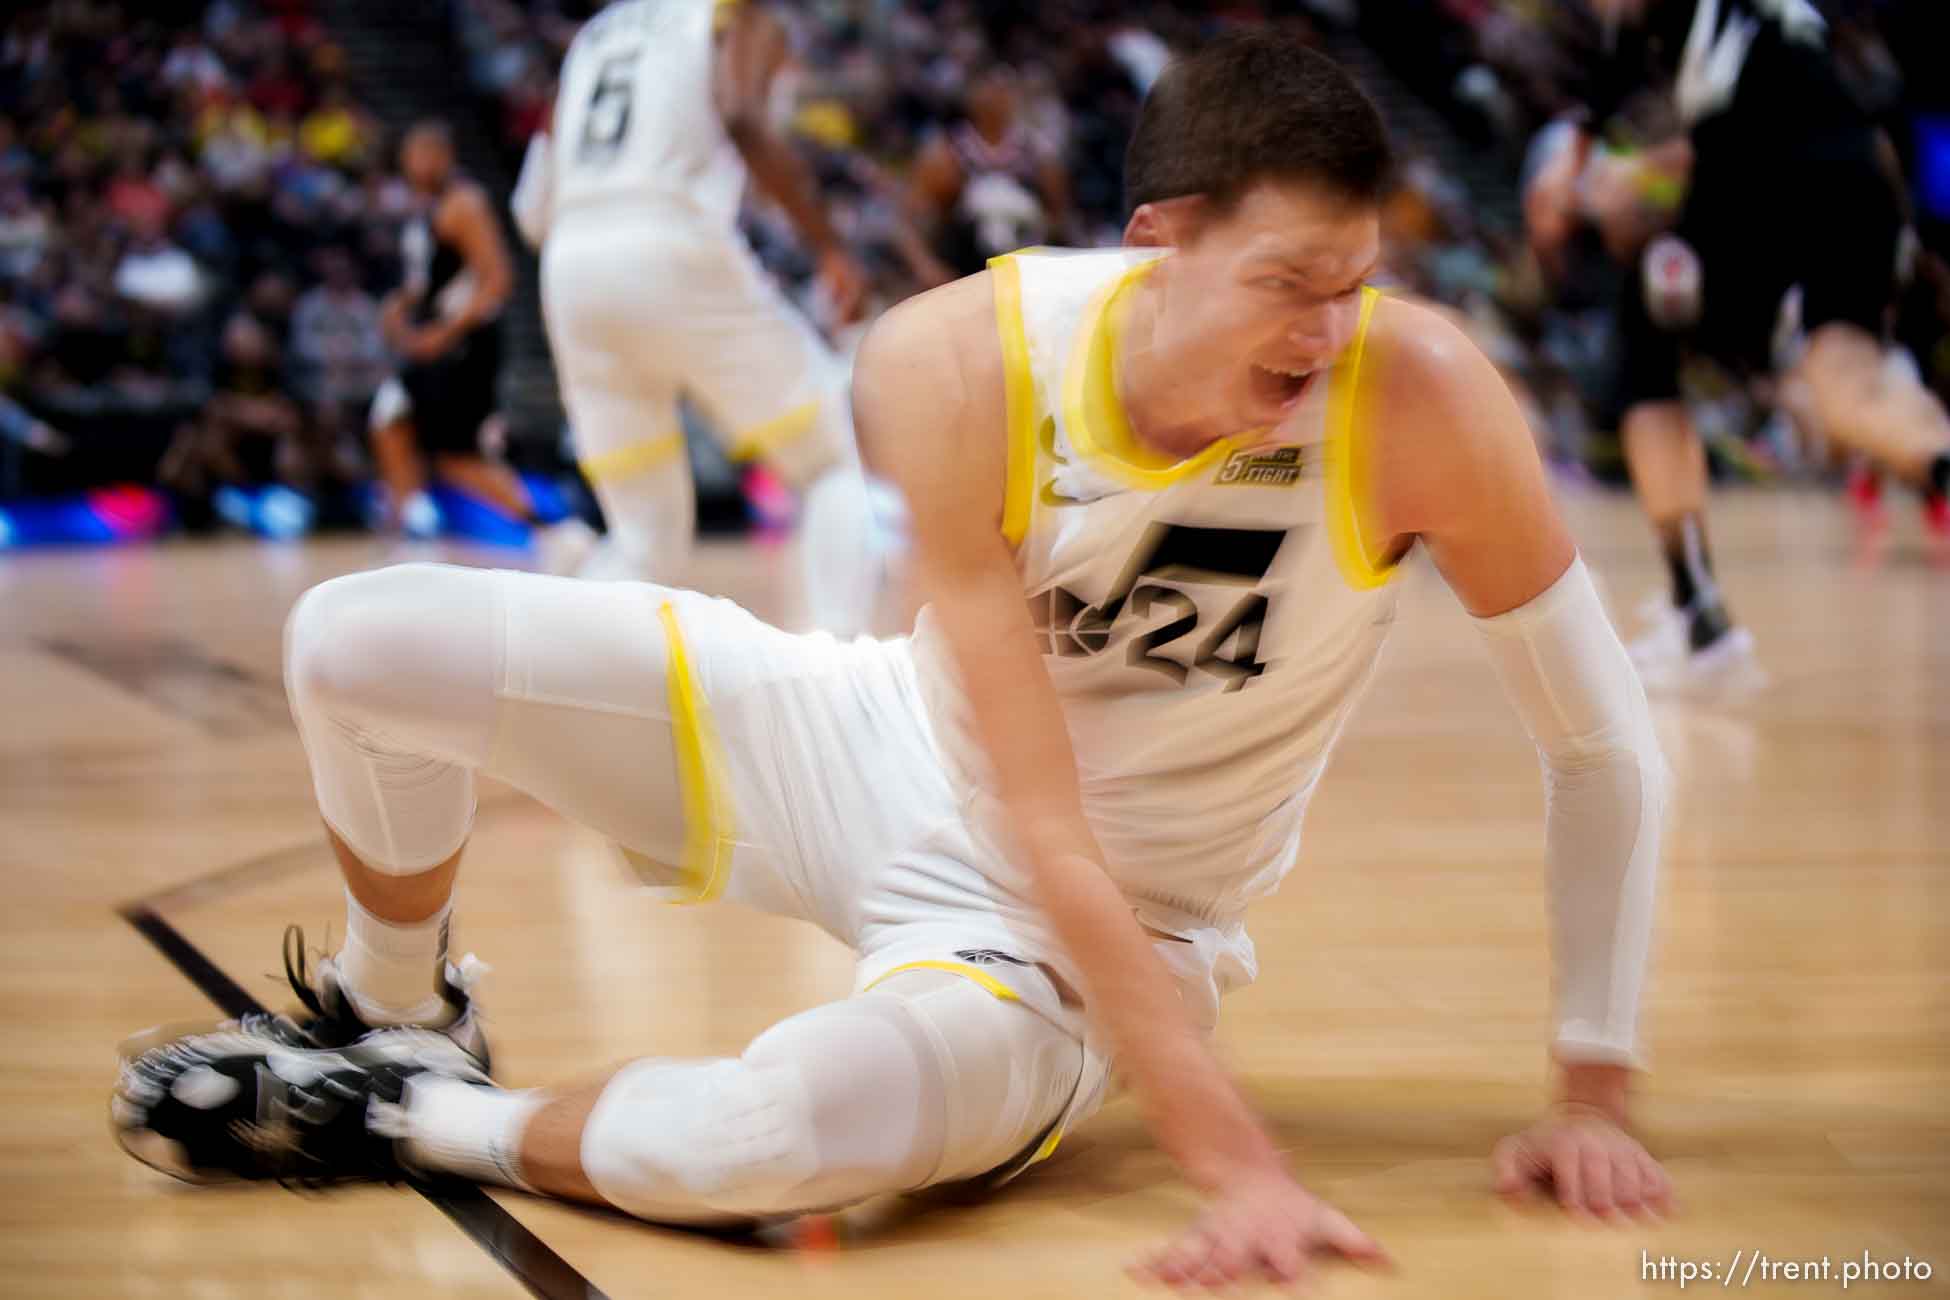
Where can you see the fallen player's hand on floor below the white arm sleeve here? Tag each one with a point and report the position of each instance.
(1590, 1163)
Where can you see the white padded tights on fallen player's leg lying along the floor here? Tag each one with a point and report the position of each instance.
(921, 1081)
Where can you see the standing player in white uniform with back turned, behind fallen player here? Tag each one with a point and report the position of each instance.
(650, 291)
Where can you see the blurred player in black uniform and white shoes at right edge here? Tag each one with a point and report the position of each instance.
(1787, 188)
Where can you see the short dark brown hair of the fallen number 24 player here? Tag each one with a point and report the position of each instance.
(1255, 106)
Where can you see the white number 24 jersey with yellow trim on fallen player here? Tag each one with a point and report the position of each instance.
(1208, 625)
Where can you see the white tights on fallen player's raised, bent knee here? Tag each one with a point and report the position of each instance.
(409, 681)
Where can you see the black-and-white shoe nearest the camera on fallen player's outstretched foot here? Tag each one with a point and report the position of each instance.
(231, 1106)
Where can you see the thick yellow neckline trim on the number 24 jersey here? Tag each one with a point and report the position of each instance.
(1095, 418)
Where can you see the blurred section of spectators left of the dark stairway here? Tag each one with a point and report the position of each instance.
(196, 219)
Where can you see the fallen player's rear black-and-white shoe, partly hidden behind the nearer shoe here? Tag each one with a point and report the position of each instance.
(327, 1018)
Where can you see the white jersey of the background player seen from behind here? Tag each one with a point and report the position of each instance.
(637, 118)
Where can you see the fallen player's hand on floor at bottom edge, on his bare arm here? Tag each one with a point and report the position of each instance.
(1261, 1231)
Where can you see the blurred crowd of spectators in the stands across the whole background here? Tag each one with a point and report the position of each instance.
(198, 219)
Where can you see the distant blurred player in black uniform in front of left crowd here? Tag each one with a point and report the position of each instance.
(446, 325)
